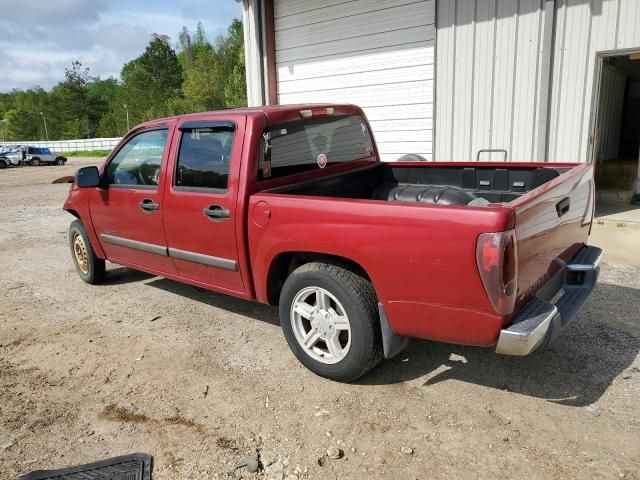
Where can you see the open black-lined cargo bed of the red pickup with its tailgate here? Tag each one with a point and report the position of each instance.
(552, 205)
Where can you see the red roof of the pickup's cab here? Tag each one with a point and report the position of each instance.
(275, 113)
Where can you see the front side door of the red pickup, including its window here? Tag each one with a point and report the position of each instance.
(127, 211)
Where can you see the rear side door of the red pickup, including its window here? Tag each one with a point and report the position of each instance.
(200, 202)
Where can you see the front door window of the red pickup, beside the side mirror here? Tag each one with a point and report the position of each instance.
(138, 162)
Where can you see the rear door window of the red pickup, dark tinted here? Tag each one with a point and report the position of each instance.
(204, 158)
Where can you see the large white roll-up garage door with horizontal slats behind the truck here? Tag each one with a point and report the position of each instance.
(378, 54)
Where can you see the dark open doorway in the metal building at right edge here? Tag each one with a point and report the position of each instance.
(617, 131)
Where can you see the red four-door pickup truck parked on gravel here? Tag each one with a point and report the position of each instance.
(290, 206)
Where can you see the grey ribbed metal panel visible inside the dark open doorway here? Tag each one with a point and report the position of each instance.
(610, 112)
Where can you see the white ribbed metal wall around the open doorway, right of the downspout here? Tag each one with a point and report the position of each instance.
(583, 29)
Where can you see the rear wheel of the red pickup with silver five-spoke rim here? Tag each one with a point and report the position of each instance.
(347, 315)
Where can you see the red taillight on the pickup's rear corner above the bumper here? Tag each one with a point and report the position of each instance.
(497, 259)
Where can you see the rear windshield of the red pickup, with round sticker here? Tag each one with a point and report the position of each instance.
(313, 144)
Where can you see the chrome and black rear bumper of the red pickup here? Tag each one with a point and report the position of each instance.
(540, 320)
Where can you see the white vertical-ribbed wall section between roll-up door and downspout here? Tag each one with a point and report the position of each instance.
(492, 78)
